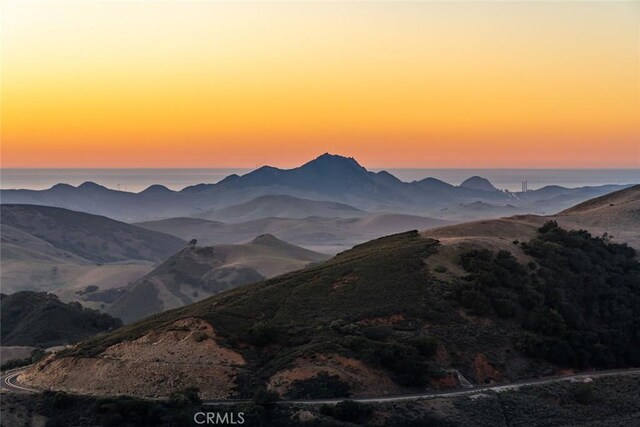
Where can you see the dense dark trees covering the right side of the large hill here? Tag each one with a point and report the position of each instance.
(578, 303)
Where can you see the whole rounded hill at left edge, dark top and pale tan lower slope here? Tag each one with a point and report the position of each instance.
(56, 250)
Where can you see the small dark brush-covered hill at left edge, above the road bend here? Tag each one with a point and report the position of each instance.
(38, 319)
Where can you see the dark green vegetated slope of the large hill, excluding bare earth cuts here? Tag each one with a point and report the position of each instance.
(575, 305)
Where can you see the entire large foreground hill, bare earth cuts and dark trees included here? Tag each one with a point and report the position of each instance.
(393, 315)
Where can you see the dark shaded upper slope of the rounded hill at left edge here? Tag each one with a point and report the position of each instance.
(77, 234)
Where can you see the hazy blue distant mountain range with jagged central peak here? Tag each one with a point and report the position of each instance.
(328, 178)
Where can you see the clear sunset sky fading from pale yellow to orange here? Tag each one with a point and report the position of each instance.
(394, 84)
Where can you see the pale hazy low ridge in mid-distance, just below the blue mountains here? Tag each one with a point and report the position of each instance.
(330, 235)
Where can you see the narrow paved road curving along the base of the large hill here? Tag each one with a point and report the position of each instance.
(9, 383)
